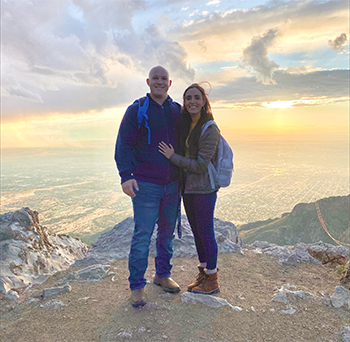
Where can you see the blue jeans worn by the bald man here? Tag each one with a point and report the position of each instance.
(153, 204)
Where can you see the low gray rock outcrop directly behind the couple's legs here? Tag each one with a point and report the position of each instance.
(115, 243)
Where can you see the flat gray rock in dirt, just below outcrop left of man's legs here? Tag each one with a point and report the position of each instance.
(90, 274)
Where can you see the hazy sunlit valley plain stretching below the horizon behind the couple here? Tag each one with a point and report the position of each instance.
(78, 191)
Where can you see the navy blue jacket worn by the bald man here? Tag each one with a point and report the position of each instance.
(134, 157)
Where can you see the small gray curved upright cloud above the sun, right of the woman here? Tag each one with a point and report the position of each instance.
(255, 56)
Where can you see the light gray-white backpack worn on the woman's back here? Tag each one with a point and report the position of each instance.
(221, 173)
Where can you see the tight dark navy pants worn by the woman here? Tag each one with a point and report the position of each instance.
(200, 213)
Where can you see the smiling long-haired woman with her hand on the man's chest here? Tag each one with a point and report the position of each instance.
(196, 150)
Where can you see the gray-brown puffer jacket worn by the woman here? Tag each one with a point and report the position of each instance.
(197, 179)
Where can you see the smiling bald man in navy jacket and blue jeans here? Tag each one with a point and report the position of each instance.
(152, 183)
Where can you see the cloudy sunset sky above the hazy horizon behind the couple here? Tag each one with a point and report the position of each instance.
(70, 68)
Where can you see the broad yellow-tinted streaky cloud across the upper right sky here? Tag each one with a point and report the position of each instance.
(305, 25)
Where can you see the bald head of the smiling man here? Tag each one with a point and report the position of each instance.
(159, 83)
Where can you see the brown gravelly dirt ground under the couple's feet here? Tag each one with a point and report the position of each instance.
(102, 312)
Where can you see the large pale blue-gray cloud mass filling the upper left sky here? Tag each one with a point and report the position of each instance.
(77, 55)
